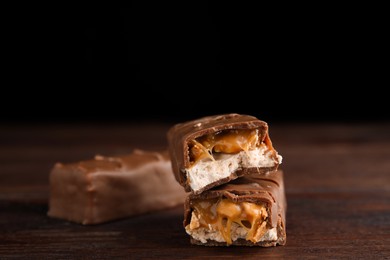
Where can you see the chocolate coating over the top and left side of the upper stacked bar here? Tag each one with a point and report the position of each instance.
(181, 134)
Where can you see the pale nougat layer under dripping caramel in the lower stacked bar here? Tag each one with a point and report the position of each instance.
(204, 234)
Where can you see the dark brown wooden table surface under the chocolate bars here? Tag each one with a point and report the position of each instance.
(337, 179)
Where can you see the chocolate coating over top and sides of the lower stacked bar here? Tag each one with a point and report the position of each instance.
(268, 189)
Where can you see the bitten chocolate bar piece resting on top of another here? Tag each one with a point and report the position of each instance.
(213, 150)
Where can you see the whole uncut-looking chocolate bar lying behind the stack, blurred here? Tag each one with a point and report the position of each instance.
(109, 188)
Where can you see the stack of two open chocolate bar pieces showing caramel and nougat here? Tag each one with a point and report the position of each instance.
(229, 166)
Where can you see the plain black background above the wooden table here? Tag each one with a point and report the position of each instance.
(170, 62)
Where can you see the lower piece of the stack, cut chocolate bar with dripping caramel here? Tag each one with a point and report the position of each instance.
(248, 211)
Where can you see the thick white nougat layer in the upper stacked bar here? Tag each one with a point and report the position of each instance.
(205, 172)
